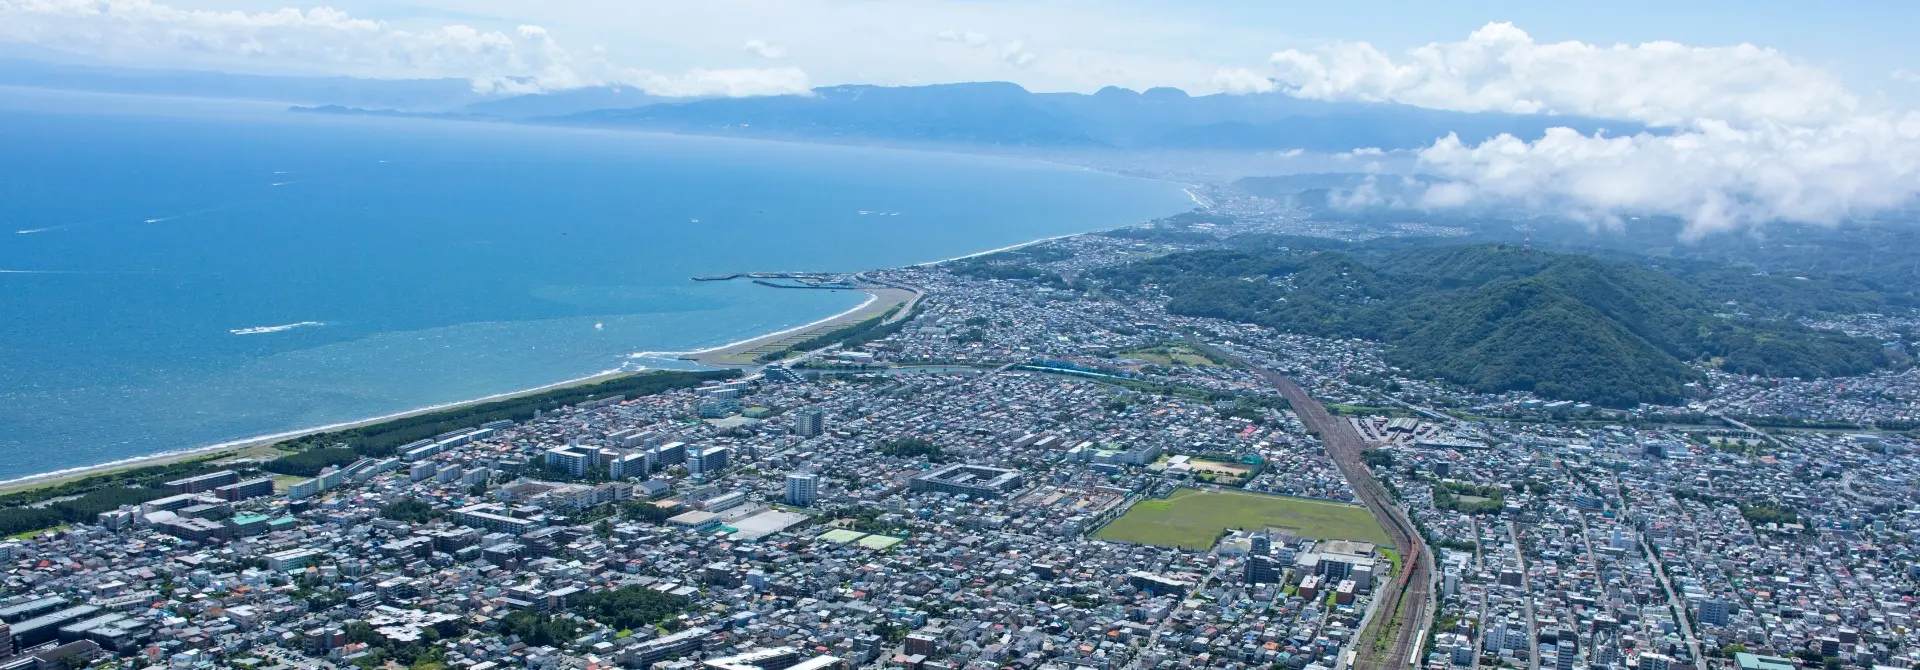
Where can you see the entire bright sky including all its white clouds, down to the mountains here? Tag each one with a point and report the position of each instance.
(1779, 110)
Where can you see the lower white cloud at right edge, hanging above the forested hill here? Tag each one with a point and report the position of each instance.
(1717, 178)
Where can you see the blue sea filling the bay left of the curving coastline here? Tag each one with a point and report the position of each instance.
(178, 274)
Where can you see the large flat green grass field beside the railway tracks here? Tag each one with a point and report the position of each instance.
(1193, 519)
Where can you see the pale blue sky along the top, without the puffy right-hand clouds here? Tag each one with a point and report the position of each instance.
(1070, 45)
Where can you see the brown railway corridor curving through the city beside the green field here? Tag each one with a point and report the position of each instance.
(1410, 598)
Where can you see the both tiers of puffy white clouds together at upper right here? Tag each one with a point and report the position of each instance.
(1756, 135)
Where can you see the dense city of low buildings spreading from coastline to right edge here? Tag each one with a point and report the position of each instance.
(1030, 473)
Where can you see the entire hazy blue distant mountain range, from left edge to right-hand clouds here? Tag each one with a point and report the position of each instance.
(972, 114)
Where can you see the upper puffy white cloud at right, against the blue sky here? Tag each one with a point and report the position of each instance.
(1500, 68)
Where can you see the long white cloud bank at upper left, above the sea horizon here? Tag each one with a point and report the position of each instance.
(324, 39)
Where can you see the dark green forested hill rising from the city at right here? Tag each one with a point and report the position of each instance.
(1499, 318)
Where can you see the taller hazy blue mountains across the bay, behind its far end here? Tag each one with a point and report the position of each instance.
(1001, 114)
